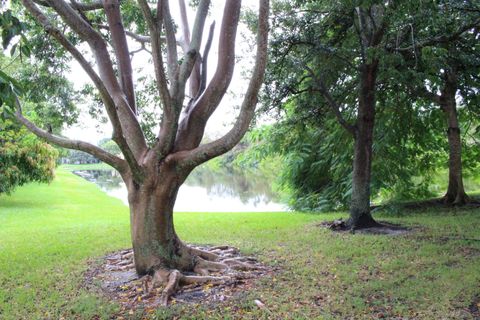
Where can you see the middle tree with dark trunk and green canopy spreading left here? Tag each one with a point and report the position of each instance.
(334, 51)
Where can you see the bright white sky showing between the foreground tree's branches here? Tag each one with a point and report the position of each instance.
(92, 131)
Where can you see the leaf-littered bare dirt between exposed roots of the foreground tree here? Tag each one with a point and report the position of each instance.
(115, 277)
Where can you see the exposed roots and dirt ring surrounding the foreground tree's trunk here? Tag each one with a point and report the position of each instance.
(219, 273)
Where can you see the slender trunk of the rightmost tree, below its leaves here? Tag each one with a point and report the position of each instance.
(455, 192)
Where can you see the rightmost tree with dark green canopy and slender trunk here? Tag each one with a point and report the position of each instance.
(443, 61)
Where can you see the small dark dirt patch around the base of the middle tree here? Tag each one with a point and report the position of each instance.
(381, 227)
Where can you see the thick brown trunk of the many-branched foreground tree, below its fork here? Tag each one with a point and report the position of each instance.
(155, 242)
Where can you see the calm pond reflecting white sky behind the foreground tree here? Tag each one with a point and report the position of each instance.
(204, 190)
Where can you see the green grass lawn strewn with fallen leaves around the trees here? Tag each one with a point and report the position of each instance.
(49, 232)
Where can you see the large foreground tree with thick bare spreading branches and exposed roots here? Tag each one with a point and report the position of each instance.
(154, 173)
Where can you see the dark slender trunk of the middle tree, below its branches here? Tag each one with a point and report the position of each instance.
(360, 216)
